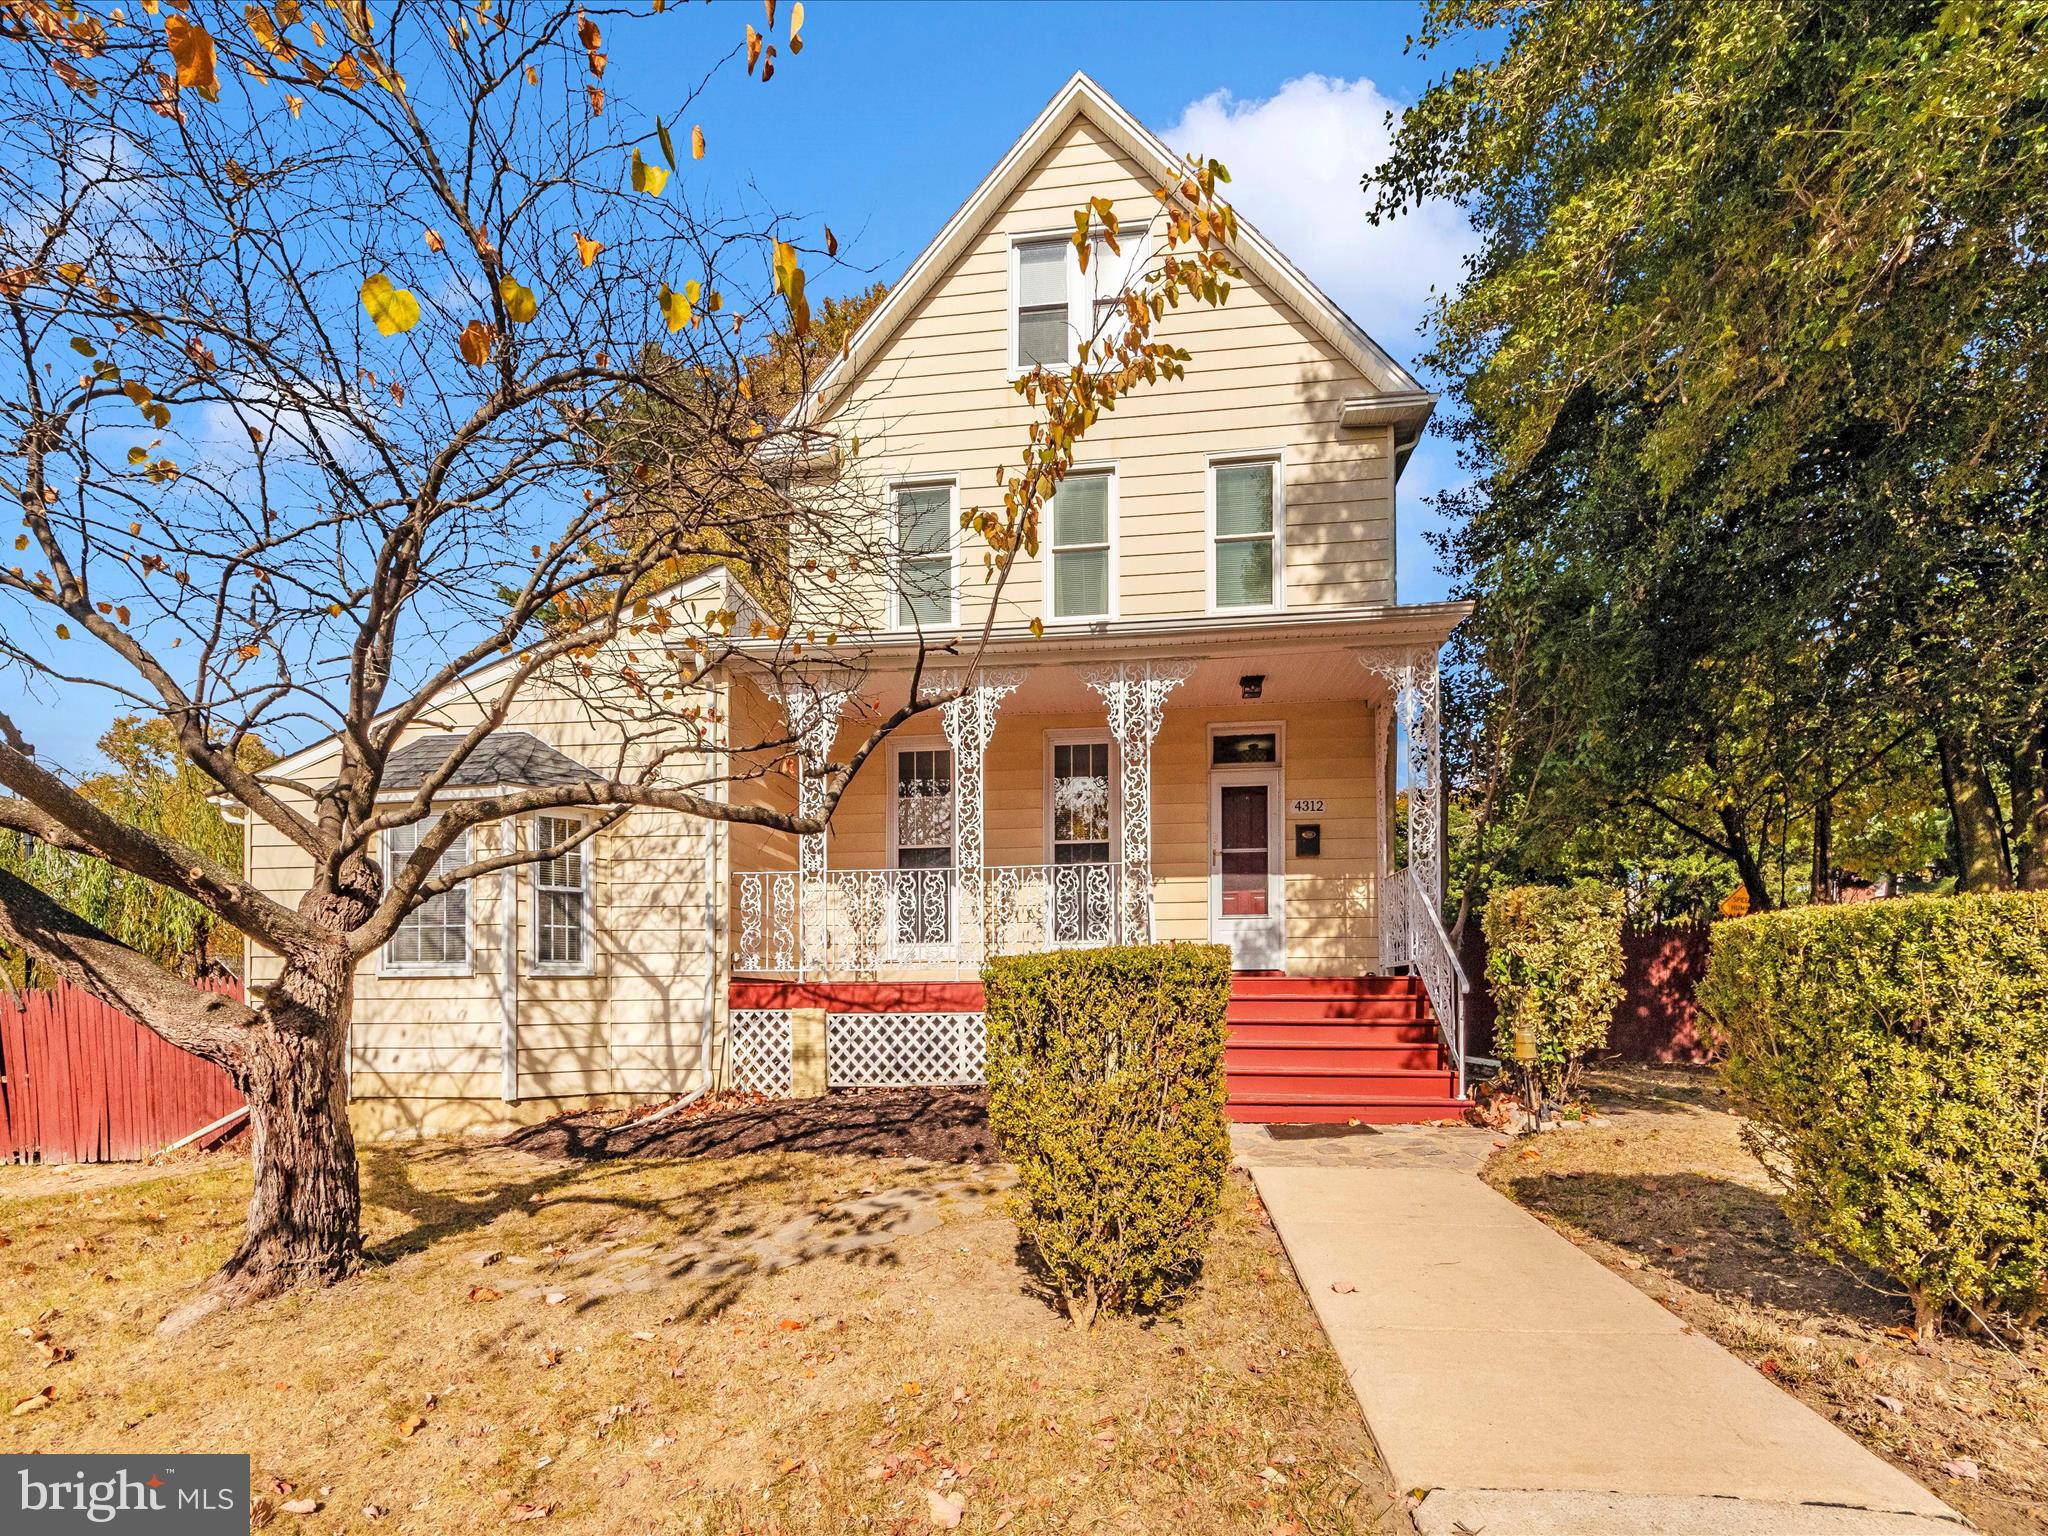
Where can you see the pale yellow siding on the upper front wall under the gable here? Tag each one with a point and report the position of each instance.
(937, 402)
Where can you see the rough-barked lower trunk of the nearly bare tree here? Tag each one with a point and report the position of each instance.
(306, 1211)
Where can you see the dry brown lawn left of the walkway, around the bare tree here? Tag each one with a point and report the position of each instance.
(759, 1345)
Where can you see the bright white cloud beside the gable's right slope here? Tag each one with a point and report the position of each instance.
(1295, 161)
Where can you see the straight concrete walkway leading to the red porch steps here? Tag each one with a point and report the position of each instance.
(1527, 1388)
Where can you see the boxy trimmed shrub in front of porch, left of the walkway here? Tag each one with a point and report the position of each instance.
(1107, 1093)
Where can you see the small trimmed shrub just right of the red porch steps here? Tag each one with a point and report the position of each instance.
(1555, 970)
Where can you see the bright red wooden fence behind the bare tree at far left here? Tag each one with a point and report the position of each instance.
(85, 1084)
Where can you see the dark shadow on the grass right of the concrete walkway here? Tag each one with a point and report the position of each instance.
(1715, 1236)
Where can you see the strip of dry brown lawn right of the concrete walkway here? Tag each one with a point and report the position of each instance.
(1662, 1191)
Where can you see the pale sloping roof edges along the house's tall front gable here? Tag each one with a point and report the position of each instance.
(1254, 255)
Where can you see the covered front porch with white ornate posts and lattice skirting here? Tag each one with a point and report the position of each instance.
(1070, 800)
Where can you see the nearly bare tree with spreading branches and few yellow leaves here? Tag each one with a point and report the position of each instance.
(353, 361)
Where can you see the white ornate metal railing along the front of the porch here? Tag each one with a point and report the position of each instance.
(861, 923)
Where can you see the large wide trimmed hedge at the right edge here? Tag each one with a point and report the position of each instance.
(1893, 1060)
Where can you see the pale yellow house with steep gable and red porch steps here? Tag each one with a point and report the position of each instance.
(1187, 722)
